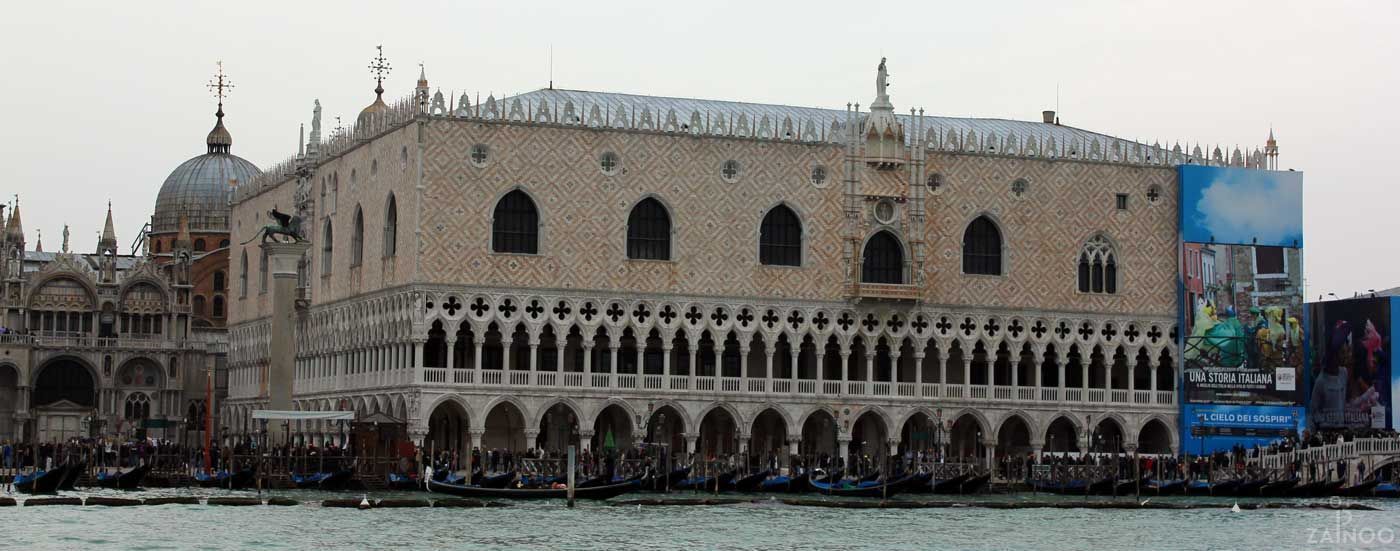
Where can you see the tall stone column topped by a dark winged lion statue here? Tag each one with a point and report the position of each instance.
(283, 348)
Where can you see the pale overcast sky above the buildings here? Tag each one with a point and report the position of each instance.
(107, 99)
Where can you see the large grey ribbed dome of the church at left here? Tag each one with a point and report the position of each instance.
(199, 189)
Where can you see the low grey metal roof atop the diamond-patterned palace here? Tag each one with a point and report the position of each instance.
(822, 118)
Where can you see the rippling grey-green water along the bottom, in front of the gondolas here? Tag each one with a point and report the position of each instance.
(750, 527)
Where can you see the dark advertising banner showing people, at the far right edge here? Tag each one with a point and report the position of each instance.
(1352, 375)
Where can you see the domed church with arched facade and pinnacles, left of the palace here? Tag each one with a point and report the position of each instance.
(104, 343)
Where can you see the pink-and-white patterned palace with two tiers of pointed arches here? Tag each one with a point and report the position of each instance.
(605, 269)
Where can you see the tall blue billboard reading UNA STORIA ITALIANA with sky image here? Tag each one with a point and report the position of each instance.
(1241, 306)
